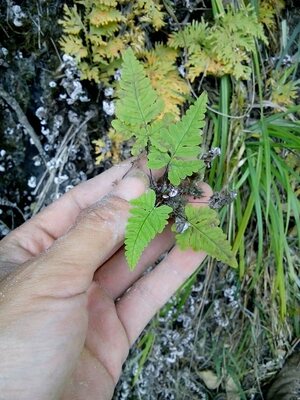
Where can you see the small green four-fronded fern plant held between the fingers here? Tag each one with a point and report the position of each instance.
(174, 146)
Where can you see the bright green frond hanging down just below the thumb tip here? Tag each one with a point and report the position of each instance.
(145, 223)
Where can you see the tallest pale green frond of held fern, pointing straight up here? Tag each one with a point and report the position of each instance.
(138, 103)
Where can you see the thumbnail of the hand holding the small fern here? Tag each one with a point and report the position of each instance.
(132, 186)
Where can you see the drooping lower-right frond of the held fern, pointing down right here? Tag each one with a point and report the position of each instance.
(204, 234)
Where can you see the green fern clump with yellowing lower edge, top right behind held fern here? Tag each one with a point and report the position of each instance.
(223, 48)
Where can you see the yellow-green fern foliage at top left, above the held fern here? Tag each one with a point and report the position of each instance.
(97, 31)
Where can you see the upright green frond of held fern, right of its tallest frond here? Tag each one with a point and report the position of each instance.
(178, 147)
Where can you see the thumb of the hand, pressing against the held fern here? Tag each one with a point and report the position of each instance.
(68, 267)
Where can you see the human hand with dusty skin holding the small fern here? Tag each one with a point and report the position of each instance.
(67, 318)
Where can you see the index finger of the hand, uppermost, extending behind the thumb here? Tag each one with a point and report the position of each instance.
(39, 233)
